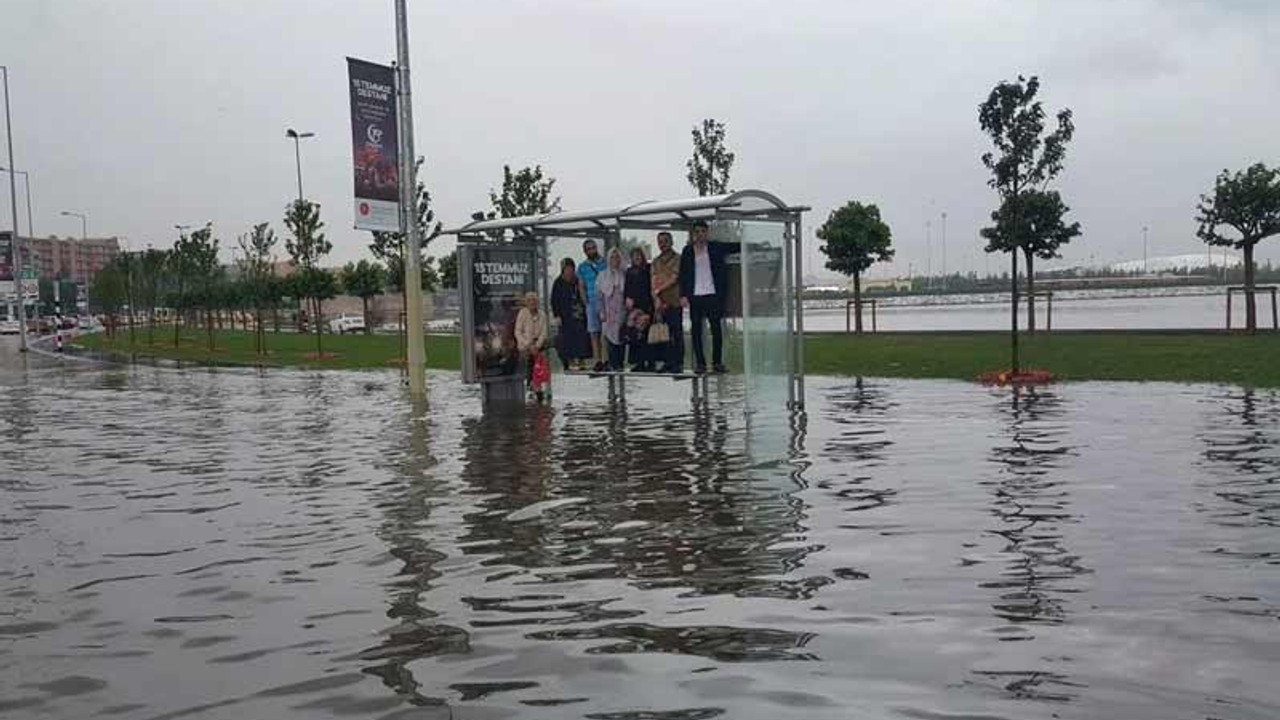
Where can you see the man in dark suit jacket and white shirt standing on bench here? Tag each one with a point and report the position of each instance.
(703, 284)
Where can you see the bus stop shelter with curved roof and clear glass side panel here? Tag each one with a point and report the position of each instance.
(765, 300)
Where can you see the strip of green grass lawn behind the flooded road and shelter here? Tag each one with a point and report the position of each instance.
(1177, 357)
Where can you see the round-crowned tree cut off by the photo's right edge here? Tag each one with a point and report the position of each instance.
(1244, 209)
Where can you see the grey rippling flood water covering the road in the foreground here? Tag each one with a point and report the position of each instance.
(287, 545)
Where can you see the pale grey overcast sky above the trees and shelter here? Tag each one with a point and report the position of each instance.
(149, 113)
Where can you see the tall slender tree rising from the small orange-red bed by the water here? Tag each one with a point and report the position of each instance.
(1025, 160)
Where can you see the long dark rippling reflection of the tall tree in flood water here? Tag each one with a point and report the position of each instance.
(1031, 504)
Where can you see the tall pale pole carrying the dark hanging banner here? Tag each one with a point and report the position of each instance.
(409, 213)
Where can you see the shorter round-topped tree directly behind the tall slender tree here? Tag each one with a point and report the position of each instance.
(1036, 224)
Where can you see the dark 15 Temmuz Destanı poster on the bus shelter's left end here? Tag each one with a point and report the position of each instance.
(495, 280)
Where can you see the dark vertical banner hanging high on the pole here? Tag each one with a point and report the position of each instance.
(376, 145)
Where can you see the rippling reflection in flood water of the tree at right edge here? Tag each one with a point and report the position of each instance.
(1242, 454)
